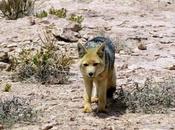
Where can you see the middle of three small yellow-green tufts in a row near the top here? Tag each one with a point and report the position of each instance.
(61, 13)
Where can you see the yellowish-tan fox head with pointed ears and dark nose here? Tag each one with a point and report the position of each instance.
(91, 60)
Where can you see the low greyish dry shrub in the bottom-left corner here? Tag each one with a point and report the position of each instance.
(16, 109)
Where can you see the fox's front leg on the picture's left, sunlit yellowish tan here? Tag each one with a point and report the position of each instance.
(87, 95)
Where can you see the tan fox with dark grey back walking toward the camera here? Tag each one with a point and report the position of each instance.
(97, 58)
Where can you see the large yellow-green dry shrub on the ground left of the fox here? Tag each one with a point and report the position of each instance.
(49, 64)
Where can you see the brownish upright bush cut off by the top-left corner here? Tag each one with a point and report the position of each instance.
(13, 9)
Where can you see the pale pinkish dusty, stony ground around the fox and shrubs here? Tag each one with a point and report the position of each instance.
(128, 23)
